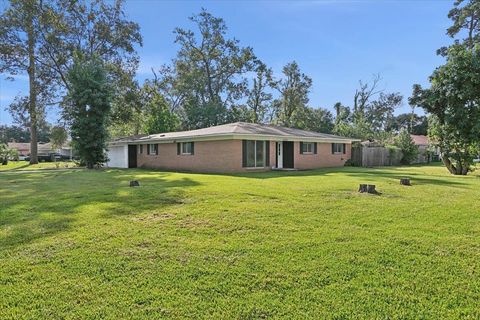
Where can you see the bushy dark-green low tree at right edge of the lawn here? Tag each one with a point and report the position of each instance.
(454, 102)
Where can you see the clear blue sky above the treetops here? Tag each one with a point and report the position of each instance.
(337, 43)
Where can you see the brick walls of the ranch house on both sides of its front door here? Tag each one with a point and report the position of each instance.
(226, 156)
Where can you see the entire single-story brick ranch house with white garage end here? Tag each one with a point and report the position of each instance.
(234, 147)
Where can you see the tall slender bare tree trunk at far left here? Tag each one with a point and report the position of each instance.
(32, 107)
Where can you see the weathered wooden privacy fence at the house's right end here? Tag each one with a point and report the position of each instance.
(374, 154)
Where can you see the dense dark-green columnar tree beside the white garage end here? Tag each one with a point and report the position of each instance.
(89, 104)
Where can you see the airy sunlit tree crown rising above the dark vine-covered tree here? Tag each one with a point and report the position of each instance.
(94, 28)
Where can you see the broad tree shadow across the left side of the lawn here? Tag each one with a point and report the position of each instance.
(38, 205)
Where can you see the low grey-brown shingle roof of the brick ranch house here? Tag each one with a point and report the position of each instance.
(234, 129)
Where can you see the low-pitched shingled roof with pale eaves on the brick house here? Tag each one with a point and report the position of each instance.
(237, 130)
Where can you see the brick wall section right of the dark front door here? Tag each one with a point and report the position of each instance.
(324, 157)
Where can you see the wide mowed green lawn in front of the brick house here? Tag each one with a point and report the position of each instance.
(82, 244)
